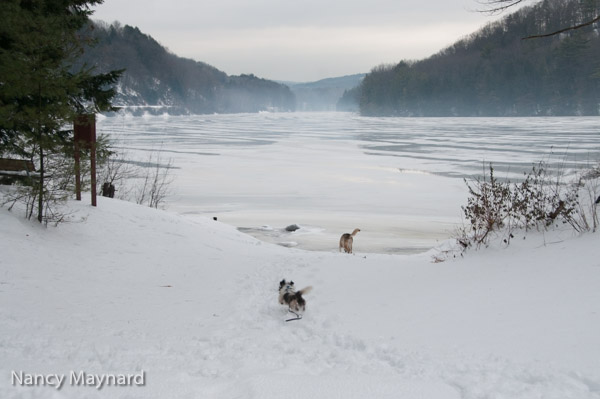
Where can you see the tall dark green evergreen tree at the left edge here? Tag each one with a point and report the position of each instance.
(40, 90)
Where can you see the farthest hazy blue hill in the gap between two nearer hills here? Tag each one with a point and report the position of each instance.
(323, 95)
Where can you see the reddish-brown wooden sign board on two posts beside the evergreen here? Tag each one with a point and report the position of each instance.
(84, 129)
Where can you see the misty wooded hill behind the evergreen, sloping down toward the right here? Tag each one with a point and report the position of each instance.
(157, 81)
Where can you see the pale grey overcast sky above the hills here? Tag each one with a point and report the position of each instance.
(299, 40)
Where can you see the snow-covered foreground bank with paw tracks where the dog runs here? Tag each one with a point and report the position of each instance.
(193, 304)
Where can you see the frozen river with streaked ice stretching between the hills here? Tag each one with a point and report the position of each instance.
(400, 180)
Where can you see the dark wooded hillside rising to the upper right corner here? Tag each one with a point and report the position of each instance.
(493, 72)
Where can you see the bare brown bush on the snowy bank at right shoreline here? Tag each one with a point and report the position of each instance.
(542, 200)
